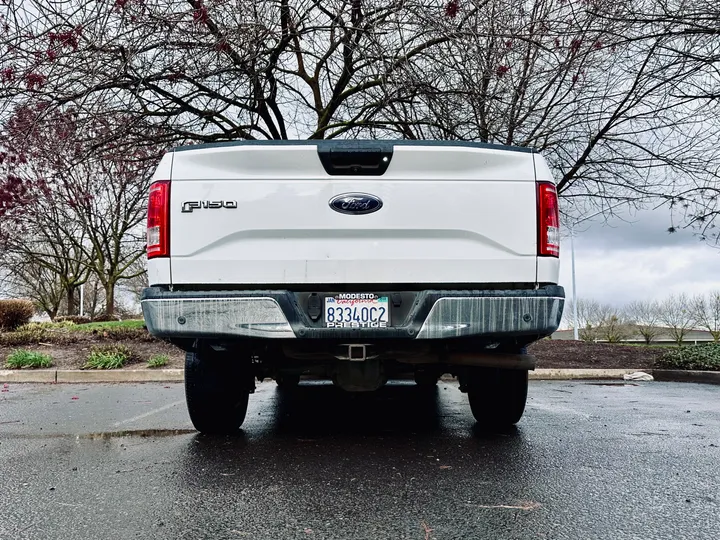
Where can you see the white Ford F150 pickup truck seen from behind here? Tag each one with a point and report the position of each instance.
(356, 261)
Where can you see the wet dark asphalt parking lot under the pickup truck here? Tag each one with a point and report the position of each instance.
(588, 460)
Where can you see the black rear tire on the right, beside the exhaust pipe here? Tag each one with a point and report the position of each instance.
(497, 396)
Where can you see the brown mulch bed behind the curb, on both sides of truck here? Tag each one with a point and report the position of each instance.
(549, 353)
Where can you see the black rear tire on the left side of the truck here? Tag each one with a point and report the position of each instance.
(217, 388)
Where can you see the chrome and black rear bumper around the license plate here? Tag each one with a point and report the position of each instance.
(434, 314)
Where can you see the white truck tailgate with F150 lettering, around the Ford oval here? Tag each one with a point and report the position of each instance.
(450, 214)
